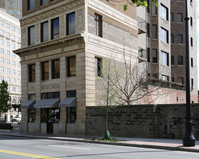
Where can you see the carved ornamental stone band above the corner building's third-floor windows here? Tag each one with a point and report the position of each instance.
(50, 11)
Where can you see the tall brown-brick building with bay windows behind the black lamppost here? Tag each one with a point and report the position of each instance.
(163, 46)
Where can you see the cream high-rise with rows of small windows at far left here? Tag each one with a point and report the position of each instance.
(10, 68)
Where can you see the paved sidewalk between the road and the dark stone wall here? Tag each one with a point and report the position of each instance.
(168, 144)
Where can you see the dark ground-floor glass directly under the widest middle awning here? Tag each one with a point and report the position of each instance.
(50, 115)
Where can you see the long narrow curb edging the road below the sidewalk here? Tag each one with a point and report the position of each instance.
(107, 143)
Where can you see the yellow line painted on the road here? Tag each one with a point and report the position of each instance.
(26, 154)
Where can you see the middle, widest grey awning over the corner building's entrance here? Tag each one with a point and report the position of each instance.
(47, 103)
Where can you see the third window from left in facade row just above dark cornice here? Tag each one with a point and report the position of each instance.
(55, 28)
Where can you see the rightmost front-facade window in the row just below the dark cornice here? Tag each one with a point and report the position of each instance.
(71, 66)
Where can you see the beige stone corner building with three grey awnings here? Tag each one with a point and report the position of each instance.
(63, 44)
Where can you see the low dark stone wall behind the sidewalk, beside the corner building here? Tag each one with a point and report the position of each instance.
(148, 121)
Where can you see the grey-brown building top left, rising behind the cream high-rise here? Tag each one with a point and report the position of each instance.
(13, 7)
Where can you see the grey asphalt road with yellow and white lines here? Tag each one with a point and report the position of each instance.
(26, 148)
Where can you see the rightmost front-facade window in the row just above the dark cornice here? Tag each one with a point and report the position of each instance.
(70, 20)
